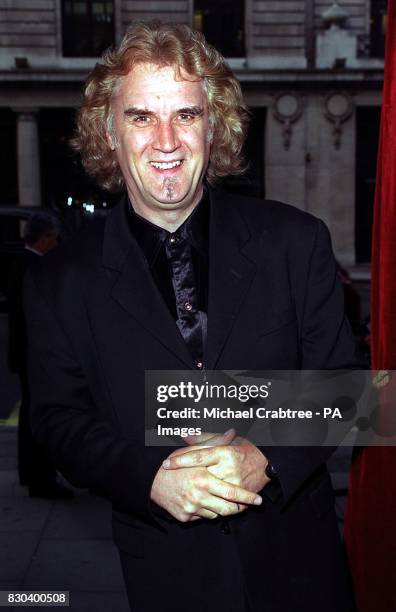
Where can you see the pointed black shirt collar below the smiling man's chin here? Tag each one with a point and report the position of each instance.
(195, 230)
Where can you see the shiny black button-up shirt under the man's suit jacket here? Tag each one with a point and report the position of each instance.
(179, 264)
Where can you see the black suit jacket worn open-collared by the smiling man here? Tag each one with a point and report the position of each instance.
(97, 322)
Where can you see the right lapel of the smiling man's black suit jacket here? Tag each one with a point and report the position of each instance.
(231, 271)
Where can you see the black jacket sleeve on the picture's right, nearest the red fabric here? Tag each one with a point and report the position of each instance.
(326, 343)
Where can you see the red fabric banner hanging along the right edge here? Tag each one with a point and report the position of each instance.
(370, 524)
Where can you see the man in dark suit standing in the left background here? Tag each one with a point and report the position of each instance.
(35, 467)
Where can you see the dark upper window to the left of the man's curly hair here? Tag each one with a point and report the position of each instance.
(87, 27)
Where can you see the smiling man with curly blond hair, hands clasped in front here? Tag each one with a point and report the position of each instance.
(181, 275)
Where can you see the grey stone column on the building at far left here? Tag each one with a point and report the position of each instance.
(29, 182)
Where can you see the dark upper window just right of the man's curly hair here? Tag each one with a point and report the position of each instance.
(223, 24)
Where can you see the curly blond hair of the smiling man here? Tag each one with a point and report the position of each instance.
(164, 45)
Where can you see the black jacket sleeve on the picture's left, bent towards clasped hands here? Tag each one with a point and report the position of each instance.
(86, 448)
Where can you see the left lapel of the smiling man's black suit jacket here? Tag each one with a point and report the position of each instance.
(133, 287)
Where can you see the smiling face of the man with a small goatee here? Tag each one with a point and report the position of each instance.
(161, 138)
